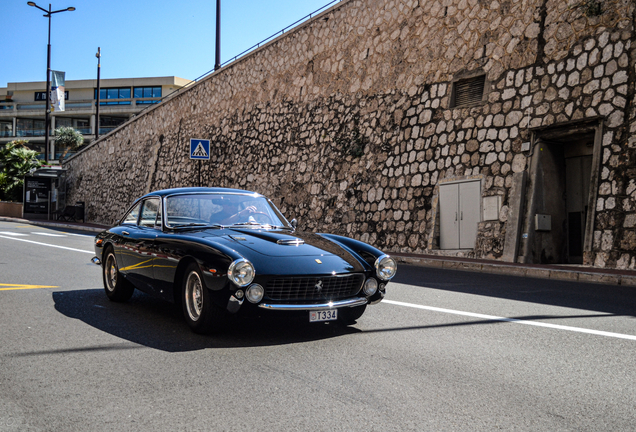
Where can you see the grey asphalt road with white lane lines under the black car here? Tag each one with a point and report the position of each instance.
(446, 351)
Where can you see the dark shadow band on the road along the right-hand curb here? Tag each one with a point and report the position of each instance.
(610, 299)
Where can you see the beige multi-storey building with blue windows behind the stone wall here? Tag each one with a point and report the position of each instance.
(22, 107)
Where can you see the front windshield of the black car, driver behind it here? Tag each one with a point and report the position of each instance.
(222, 209)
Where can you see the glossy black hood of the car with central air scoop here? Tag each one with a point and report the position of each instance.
(284, 245)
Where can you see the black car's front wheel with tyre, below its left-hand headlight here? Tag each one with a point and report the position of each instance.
(201, 313)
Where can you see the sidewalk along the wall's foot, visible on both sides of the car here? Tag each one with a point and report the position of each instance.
(573, 273)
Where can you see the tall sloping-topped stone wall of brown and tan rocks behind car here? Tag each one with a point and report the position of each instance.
(346, 121)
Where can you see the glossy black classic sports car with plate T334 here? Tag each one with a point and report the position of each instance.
(210, 249)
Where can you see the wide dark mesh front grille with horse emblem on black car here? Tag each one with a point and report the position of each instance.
(314, 287)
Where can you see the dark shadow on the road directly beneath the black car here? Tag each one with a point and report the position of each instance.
(157, 324)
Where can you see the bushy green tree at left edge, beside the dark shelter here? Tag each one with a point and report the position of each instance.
(16, 161)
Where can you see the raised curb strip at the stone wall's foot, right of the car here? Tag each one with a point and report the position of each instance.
(598, 277)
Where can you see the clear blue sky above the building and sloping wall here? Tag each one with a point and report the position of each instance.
(138, 38)
